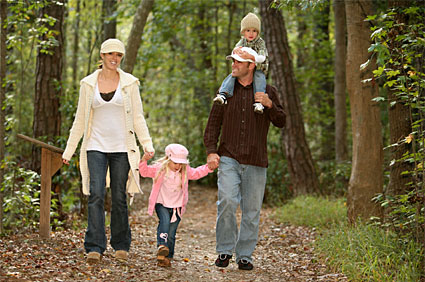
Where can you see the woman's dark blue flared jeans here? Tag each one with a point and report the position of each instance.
(95, 239)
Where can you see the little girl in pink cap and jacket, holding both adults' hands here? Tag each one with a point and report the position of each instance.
(169, 194)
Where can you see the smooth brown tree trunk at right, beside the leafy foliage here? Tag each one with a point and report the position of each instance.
(366, 176)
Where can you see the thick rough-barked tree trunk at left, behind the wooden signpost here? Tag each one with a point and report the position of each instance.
(48, 90)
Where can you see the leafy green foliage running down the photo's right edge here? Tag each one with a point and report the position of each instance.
(399, 48)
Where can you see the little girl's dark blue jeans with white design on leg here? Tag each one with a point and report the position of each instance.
(166, 231)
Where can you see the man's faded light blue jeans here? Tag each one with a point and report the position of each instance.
(244, 185)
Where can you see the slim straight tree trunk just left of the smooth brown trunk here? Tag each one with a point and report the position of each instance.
(341, 150)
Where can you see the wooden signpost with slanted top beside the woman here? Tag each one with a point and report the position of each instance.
(51, 162)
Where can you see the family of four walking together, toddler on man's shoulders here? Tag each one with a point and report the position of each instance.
(110, 115)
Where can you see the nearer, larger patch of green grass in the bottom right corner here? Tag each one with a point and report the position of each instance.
(369, 253)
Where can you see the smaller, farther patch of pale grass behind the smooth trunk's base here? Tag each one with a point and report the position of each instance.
(317, 212)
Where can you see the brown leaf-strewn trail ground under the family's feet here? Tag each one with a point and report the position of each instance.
(283, 252)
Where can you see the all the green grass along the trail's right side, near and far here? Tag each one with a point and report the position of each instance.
(364, 252)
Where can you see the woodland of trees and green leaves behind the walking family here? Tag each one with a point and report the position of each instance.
(350, 75)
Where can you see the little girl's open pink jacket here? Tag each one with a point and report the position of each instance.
(150, 171)
